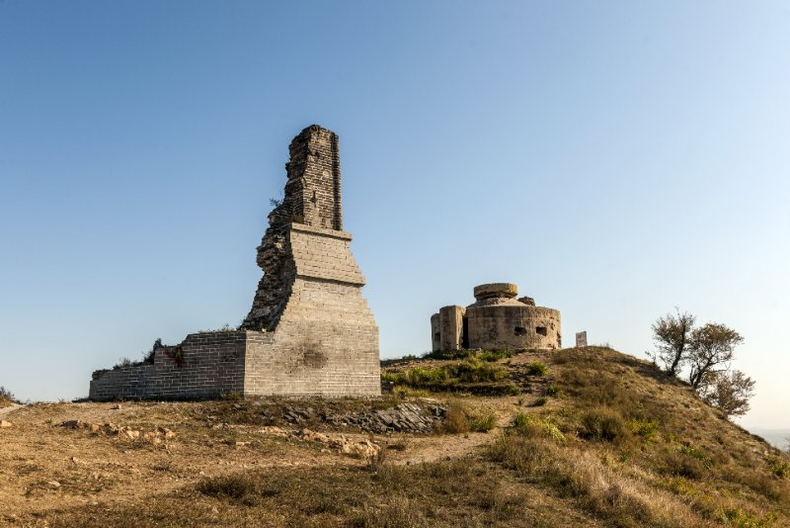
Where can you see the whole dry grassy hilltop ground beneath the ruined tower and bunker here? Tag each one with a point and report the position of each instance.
(577, 437)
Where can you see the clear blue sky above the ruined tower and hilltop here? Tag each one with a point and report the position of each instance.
(614, 159)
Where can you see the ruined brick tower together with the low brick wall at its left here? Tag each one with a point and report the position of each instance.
(309, 331)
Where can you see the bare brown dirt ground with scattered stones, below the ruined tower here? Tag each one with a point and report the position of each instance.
(45, 465)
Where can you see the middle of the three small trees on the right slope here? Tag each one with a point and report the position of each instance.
(711, 349)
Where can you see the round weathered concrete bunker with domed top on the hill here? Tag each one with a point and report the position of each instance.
(498, 321)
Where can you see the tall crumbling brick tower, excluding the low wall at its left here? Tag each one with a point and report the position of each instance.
(310, 296)
